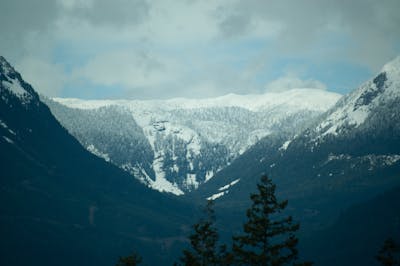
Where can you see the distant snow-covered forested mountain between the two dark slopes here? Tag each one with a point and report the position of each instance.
(178, 144)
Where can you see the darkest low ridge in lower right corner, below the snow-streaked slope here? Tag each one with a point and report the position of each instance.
(359, 232)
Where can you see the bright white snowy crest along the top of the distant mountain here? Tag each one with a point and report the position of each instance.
(310, 99)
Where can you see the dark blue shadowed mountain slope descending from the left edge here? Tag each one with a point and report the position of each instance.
(61, 205)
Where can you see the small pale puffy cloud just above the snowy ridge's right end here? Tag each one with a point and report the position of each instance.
(290, 81)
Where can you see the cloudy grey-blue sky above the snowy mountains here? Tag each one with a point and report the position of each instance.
(142, 49)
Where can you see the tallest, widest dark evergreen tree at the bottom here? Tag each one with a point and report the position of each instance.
(268, 237)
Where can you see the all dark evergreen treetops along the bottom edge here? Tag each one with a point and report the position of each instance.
(268, 238)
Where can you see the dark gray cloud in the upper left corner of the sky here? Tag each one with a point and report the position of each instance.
(28, 25)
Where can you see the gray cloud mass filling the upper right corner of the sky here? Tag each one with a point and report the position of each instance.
(372, 26)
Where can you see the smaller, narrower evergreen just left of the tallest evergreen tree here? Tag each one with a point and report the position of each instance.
(204, 250)
